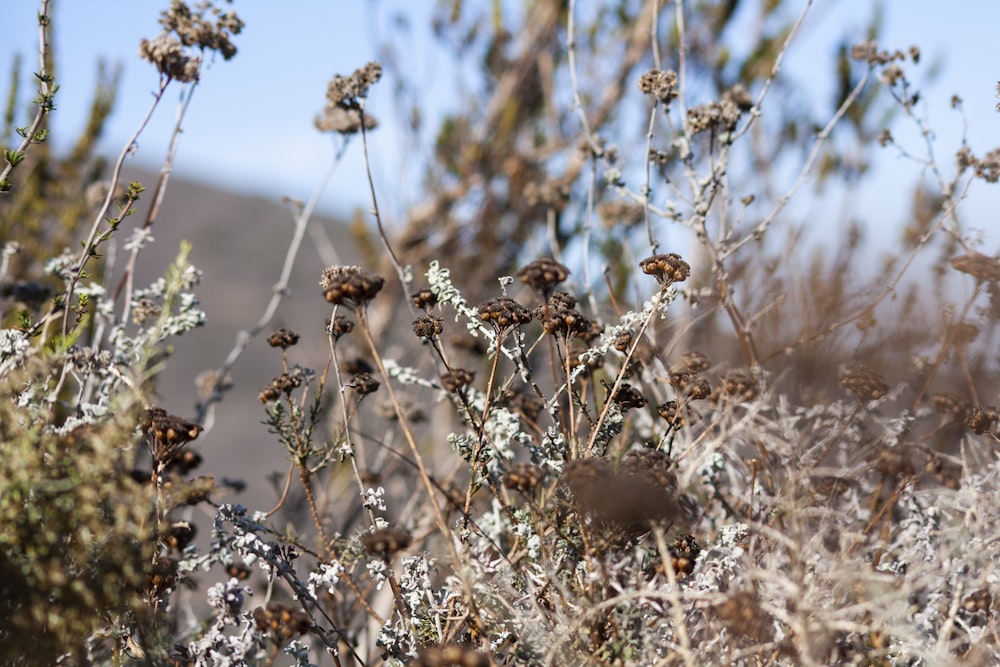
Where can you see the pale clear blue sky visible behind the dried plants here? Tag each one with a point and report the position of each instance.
(250, 126)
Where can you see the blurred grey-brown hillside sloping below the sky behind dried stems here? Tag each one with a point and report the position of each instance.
(239, 243)
